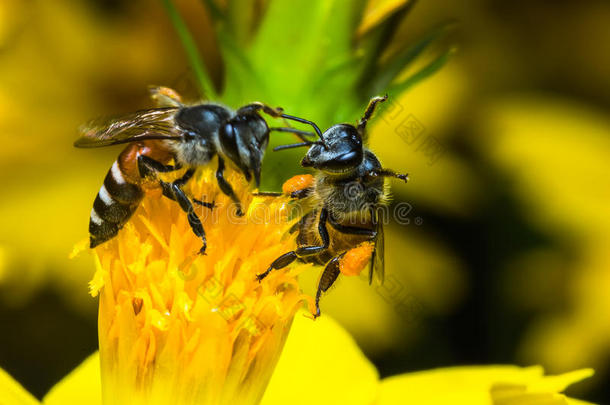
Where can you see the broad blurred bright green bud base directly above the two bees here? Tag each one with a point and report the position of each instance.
(295, 44)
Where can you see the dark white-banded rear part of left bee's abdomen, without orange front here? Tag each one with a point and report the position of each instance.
(114, 204)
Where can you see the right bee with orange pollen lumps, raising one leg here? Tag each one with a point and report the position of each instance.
(342, 228)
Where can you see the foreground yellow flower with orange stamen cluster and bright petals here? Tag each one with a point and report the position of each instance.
(179, 328)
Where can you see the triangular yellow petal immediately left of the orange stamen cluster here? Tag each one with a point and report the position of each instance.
(81, 386)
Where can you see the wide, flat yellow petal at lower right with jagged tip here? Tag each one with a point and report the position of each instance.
(479, 385)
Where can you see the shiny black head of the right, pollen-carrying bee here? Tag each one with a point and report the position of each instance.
(340, 152)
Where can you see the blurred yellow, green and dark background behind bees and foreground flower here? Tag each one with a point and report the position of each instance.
(501, 255)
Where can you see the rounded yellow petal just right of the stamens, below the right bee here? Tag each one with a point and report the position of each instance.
(321, 364)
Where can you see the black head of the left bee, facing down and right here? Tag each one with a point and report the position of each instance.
(243, 140)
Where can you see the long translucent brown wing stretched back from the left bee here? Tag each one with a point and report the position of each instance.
(155, 123)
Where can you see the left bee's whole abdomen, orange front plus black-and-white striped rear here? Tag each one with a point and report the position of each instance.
(120, 194)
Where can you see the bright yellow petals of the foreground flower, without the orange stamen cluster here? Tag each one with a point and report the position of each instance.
(321, 364)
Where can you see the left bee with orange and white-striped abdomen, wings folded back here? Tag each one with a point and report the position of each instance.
(168, 138)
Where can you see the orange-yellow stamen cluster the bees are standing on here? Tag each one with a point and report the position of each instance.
(178, 327)
